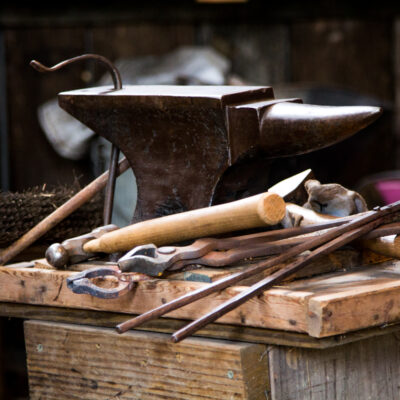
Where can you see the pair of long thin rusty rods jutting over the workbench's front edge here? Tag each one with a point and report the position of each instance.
(328, 242)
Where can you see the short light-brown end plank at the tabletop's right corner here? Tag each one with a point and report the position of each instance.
(355, 301)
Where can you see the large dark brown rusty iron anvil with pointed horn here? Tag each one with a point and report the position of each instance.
(181, 140)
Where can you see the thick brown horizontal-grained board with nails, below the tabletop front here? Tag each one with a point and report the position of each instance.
(74, 362)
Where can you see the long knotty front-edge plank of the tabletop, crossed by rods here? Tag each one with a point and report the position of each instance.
(48, 287)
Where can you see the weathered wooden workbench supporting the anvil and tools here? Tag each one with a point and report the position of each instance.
(330, 336)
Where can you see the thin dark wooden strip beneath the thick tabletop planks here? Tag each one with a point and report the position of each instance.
(213, 331)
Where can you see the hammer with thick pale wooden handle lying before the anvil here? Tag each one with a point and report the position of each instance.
(257, 211)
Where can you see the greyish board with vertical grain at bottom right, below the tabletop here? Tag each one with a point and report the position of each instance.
(368, 369)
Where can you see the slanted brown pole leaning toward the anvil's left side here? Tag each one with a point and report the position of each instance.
(59, 214)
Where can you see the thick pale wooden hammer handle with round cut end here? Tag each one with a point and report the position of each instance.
(256, 211)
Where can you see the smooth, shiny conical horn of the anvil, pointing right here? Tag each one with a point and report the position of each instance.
(295, 128)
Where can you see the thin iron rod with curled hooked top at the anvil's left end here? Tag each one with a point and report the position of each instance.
(116, 77)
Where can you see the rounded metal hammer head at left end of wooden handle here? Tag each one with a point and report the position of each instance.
(71, 251)
